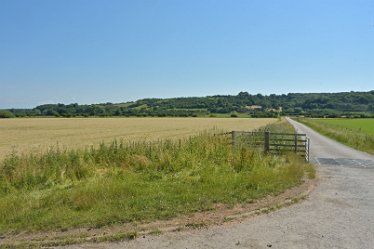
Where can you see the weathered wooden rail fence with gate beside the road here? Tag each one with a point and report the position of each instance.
(273, 142)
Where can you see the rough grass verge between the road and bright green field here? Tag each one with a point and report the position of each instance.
(355, 138)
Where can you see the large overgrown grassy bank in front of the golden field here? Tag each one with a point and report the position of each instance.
(137, 181)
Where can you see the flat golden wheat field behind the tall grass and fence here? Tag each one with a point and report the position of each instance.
(38, 134)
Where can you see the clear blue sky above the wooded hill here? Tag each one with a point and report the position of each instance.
(93, 51)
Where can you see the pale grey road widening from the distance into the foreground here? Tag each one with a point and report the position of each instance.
(339, 213)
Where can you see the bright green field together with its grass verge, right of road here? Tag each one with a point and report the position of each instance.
(357, 133)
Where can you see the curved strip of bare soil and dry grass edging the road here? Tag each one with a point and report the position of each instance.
(219, 216)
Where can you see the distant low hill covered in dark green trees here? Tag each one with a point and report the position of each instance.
(353, 104)
